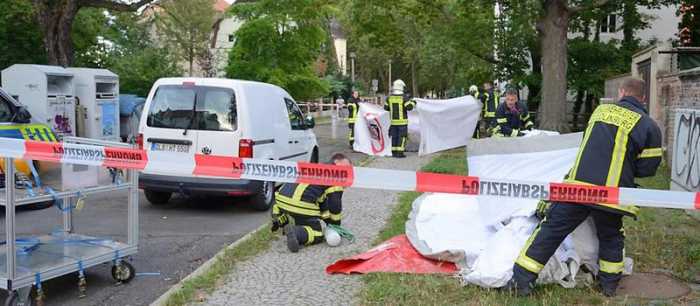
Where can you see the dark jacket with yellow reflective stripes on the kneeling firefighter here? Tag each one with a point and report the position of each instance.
(311, 201)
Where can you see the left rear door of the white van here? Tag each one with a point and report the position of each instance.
(171, 121)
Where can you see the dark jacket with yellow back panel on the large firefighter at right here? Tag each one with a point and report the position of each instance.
(620, 143)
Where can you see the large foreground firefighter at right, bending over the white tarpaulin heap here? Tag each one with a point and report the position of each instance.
(620, 143)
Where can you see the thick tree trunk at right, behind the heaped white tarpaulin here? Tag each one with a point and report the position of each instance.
(553, 29)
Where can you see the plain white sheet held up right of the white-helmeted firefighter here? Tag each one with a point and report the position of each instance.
(446, 124)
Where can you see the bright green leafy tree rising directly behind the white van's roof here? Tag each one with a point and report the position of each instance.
(279, 43)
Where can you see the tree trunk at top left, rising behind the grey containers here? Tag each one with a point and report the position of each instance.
(55, 21)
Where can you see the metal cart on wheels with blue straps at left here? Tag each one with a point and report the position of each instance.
(62, 252)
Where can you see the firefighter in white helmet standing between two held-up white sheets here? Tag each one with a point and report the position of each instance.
(398, 106)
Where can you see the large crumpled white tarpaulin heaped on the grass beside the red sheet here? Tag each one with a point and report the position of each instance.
(485, 235)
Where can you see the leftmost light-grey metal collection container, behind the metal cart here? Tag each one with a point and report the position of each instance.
(48, 93)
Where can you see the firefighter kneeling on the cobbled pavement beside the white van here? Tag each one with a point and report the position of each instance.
(303, 210)
